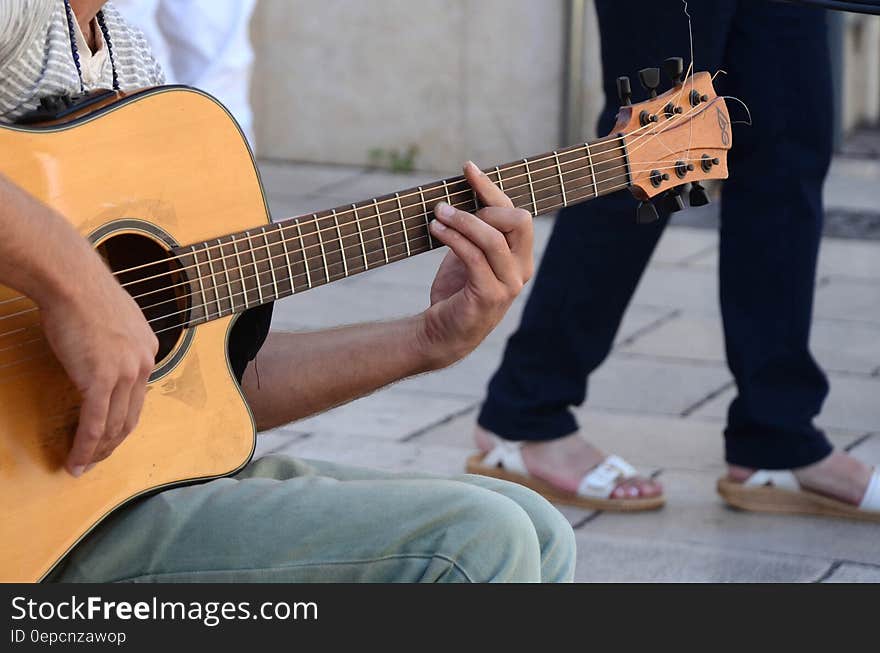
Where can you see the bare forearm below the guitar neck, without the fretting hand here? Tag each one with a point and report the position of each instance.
(300, 374)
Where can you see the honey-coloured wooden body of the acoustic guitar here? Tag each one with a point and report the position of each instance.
(162, 167)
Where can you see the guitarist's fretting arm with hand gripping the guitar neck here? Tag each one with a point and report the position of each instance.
(296, 375)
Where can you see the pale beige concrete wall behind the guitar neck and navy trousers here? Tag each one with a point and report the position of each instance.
(479, 79)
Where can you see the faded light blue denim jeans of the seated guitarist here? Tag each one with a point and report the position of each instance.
(288, 520)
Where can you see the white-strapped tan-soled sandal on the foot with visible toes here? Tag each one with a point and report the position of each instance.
(505, 461)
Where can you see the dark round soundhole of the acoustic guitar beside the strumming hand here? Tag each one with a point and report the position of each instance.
(156, 281)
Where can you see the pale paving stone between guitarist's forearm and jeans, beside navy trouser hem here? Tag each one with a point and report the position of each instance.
(390, 414)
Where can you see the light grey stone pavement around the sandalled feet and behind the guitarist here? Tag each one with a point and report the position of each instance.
(659, 400)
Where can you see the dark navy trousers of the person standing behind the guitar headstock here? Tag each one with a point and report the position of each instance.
(777, 61)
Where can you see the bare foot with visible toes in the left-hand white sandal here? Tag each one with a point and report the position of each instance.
(565, 461)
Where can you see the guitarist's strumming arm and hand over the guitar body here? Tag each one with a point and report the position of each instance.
(93, 326)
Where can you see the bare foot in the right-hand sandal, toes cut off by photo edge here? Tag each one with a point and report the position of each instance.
(839, 476)
